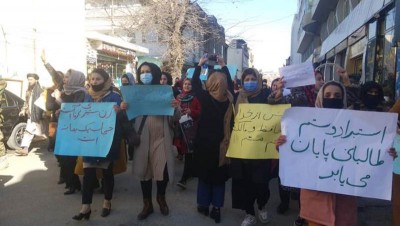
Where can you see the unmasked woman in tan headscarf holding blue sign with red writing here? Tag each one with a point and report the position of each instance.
(101, 91)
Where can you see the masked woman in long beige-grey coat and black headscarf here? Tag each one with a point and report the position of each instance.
(153, 157)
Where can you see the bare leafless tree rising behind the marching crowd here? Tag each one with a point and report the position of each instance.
(180, 25)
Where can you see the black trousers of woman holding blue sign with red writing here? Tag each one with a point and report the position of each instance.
(89, 179)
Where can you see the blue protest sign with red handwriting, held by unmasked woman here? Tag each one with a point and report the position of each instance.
(85, 129)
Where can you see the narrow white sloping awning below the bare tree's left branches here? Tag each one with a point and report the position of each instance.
(116, 41)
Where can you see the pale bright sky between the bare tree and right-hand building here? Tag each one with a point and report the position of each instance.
(264, 24)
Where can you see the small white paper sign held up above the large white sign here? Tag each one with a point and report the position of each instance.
(298, 75)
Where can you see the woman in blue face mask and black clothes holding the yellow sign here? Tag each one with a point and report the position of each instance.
(250, 178)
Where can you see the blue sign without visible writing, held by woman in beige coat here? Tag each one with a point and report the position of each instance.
(148, 100)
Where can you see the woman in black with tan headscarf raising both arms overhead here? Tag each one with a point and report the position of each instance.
(212, 137)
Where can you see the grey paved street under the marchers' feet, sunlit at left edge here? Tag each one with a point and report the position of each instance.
(30, 196)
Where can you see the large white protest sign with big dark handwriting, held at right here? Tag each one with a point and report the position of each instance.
(338, 151)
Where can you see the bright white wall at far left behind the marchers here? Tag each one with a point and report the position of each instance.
(32, 25)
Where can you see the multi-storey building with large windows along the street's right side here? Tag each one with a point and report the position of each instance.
(355, 34)
